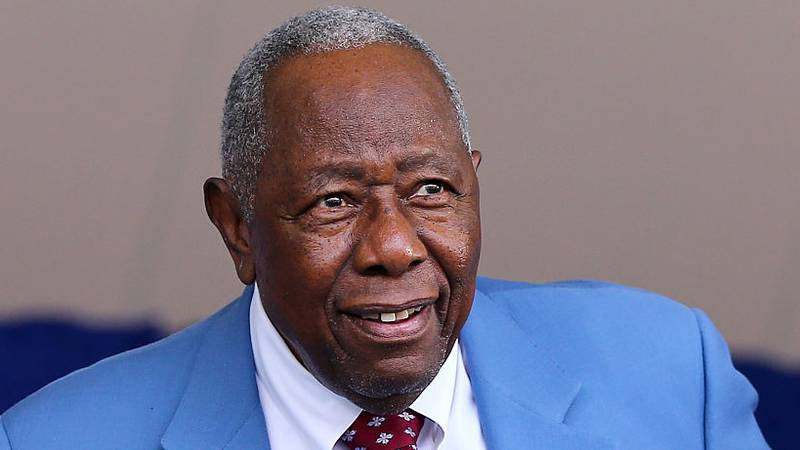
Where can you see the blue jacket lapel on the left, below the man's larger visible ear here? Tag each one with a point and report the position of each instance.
(220, 406)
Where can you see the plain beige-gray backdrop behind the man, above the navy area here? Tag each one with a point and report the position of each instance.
(649, 143)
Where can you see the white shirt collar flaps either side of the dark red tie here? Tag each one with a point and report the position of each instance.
(314, 410)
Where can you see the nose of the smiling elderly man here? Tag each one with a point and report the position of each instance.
(389, 244)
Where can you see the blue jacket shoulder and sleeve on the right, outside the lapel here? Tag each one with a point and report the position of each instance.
(643, 361)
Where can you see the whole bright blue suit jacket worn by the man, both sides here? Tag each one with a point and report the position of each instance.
(571, 365)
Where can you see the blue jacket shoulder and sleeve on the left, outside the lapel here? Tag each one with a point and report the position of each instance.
(130, 394)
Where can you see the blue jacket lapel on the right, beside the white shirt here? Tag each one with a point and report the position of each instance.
(522, 395)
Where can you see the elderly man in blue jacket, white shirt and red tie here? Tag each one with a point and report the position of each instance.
(349, 204)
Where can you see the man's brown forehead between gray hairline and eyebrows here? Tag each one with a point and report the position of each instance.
(376, 97)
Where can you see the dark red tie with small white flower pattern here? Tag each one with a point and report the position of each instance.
(395, 432)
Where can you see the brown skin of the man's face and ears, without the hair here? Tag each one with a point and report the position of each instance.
(366, 231)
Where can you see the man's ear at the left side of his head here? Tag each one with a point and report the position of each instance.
(225, 213)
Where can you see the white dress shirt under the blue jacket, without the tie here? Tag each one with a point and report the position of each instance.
(301, 413)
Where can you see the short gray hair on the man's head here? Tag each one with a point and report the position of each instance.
(244, 127)
